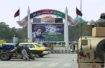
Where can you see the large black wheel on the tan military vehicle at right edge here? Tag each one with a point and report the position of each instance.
(100, 50)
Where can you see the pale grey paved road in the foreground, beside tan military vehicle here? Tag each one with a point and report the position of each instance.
(48, 61)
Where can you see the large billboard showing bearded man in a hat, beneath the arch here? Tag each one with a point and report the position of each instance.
(47, 32)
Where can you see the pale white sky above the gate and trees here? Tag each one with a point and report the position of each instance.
(91, 9)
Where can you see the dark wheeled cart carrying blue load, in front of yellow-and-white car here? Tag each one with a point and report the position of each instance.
(6, 54)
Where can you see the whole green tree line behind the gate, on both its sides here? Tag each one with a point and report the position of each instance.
(7, 33)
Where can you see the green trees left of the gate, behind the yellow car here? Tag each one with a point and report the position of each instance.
(7, 33)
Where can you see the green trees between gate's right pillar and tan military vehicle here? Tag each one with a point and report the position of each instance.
(79, 30)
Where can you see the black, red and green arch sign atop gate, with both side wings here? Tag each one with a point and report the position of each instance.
(24, 21)
